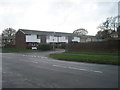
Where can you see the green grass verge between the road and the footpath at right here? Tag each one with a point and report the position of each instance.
(84, 58)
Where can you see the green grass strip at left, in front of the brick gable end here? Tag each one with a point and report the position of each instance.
(7, 50)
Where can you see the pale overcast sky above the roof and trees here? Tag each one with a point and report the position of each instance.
(56, 15)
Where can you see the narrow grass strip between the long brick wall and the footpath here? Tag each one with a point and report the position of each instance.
(94, 53)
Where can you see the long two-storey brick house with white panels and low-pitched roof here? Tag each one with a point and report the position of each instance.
(31, 38)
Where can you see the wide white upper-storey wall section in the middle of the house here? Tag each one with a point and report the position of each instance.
(56, 39)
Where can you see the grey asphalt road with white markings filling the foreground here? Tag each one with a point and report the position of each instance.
(36, 70)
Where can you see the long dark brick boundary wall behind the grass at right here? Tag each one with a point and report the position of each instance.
(95, 46)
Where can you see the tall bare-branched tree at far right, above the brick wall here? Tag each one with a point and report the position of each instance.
(107, 28)
